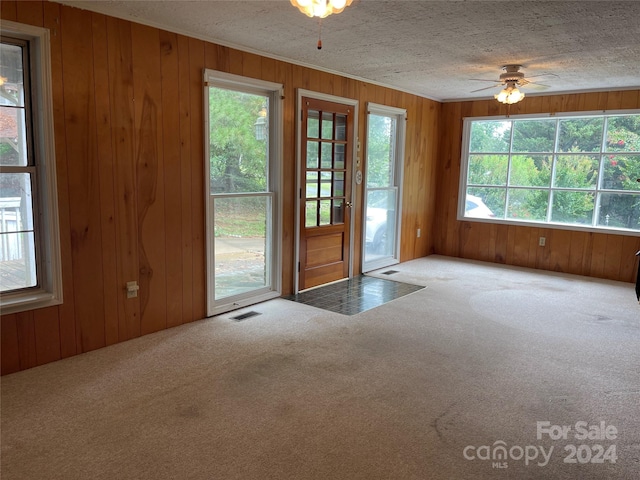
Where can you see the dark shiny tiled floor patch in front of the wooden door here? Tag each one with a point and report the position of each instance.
(354, 295)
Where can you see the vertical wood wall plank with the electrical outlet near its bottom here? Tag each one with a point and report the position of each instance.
(122, 118)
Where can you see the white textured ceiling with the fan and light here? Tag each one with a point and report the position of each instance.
(431, 48)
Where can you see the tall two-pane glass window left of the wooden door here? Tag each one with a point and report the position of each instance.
(243, 252)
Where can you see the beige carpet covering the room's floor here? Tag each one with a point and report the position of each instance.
(428, 386)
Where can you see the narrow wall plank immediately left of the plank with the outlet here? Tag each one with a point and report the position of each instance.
(106, 175)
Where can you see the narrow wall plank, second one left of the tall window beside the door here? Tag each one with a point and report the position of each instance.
(184, 97)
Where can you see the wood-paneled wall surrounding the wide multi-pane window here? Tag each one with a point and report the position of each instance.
(584, 253)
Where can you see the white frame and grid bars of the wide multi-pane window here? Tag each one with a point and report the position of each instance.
(464, 169)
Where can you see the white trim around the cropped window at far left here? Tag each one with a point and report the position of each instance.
(50, 280)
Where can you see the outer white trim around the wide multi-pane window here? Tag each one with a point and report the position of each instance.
(464, 166)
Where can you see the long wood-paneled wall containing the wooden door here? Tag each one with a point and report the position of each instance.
(128, 107)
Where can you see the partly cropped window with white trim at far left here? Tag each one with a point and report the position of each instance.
(29, 247)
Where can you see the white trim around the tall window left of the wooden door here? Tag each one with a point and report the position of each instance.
(276, 92)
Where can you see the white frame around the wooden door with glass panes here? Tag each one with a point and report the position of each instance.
(355, 164)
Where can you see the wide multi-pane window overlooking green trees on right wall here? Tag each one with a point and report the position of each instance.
(579, 171)
